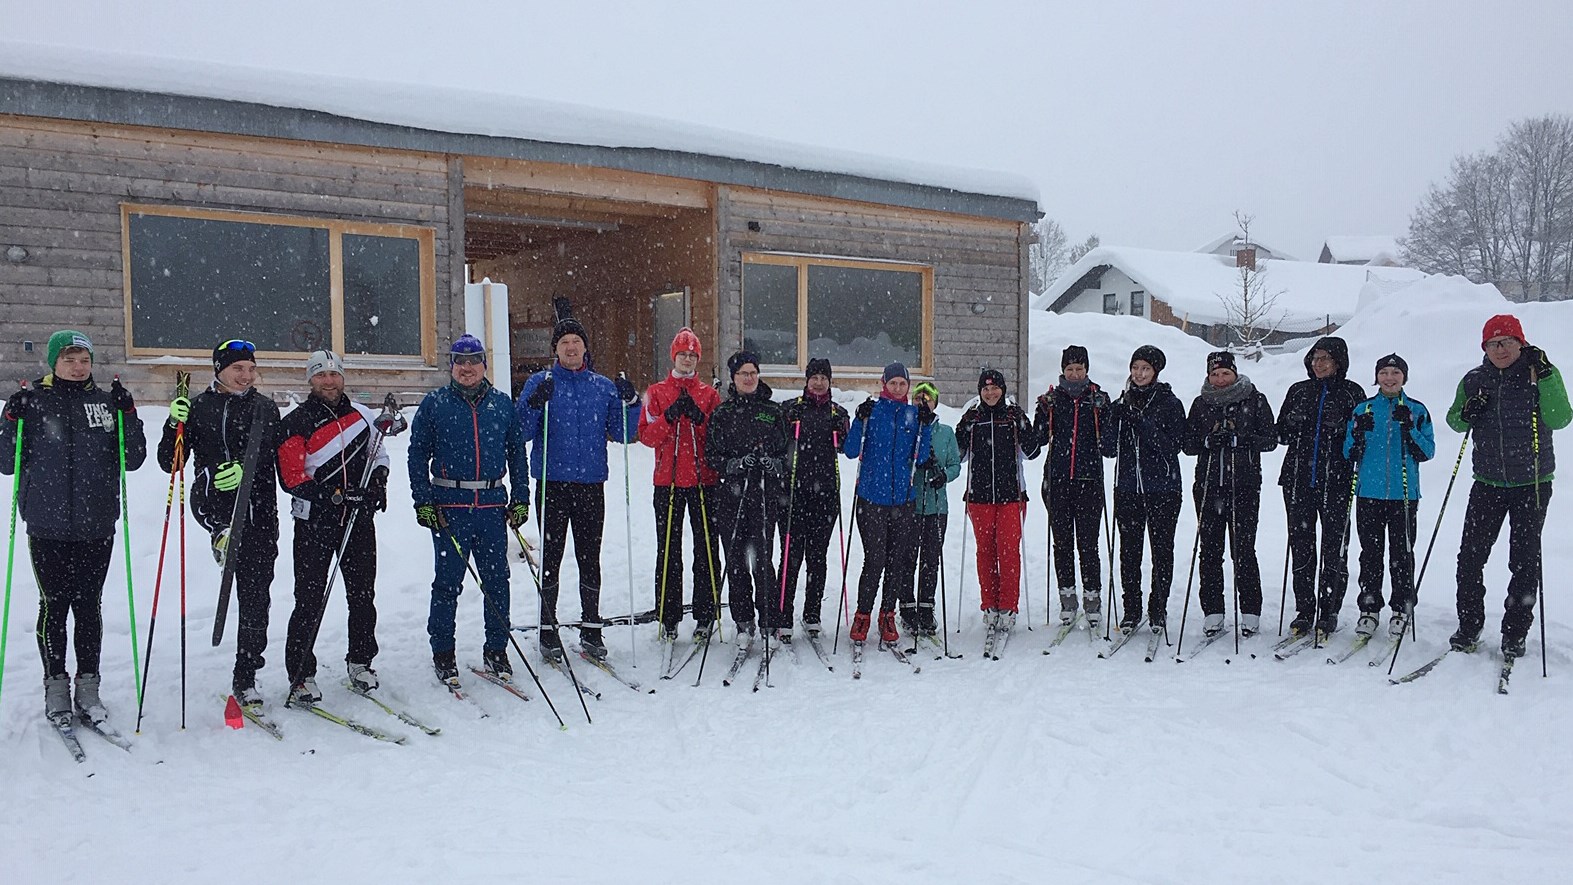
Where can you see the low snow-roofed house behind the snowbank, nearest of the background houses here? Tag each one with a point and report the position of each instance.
(1187, 290)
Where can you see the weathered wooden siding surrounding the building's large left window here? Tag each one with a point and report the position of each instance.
(62, 186)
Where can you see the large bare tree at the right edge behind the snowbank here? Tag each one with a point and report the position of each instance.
(1505, 218)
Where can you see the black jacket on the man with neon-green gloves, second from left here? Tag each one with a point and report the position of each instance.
(218, 431)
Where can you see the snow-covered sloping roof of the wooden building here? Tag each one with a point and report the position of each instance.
(639, 142)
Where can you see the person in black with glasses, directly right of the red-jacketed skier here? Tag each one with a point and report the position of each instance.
(748, 447)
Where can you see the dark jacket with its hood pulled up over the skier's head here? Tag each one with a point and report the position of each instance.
(1313, 420)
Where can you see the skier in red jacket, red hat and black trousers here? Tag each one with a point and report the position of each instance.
(674, 425)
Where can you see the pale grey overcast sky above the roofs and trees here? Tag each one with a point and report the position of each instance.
(1148, 123)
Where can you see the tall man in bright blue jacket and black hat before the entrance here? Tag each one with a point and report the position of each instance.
(572, 413)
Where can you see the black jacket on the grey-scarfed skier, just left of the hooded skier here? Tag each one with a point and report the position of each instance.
(1248, 419)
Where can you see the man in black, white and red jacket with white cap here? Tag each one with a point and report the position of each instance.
(322, 463)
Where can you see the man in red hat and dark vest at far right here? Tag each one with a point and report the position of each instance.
(1516, 398)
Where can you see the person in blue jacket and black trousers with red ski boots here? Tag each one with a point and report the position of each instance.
(890, 439)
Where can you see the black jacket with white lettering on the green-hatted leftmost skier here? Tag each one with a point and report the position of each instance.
(70, 487)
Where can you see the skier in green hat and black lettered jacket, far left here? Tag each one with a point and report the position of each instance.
(70, 498)
